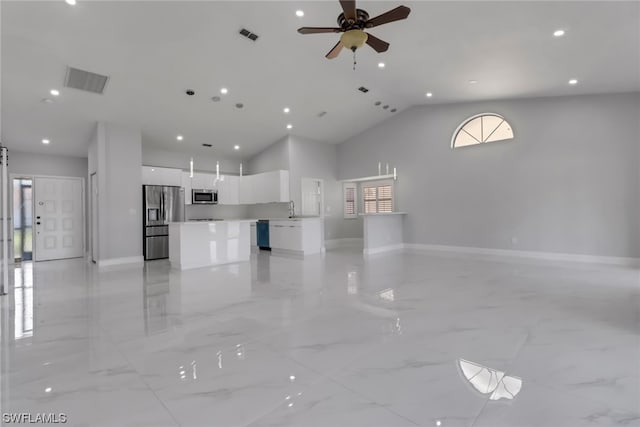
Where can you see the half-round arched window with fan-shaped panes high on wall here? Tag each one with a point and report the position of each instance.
(481, 128)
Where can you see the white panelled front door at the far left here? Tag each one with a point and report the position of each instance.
(58, 218)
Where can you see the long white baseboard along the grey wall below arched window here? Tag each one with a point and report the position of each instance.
(549, 256)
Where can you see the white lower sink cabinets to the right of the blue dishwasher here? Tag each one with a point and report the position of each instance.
(301, 236)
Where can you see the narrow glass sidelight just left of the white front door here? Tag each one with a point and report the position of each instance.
(22, 219)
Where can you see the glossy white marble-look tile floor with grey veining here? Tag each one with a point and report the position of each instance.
(334, 340)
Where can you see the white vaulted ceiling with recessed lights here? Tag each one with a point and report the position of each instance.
(154, 50)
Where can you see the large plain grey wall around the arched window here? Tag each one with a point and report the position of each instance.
(568, 182)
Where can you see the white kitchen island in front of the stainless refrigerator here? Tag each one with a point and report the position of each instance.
(196, 244)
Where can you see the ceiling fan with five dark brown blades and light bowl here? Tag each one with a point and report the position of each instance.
(352, 23)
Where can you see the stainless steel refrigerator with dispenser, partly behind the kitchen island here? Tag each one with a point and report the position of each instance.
(161, 205)
